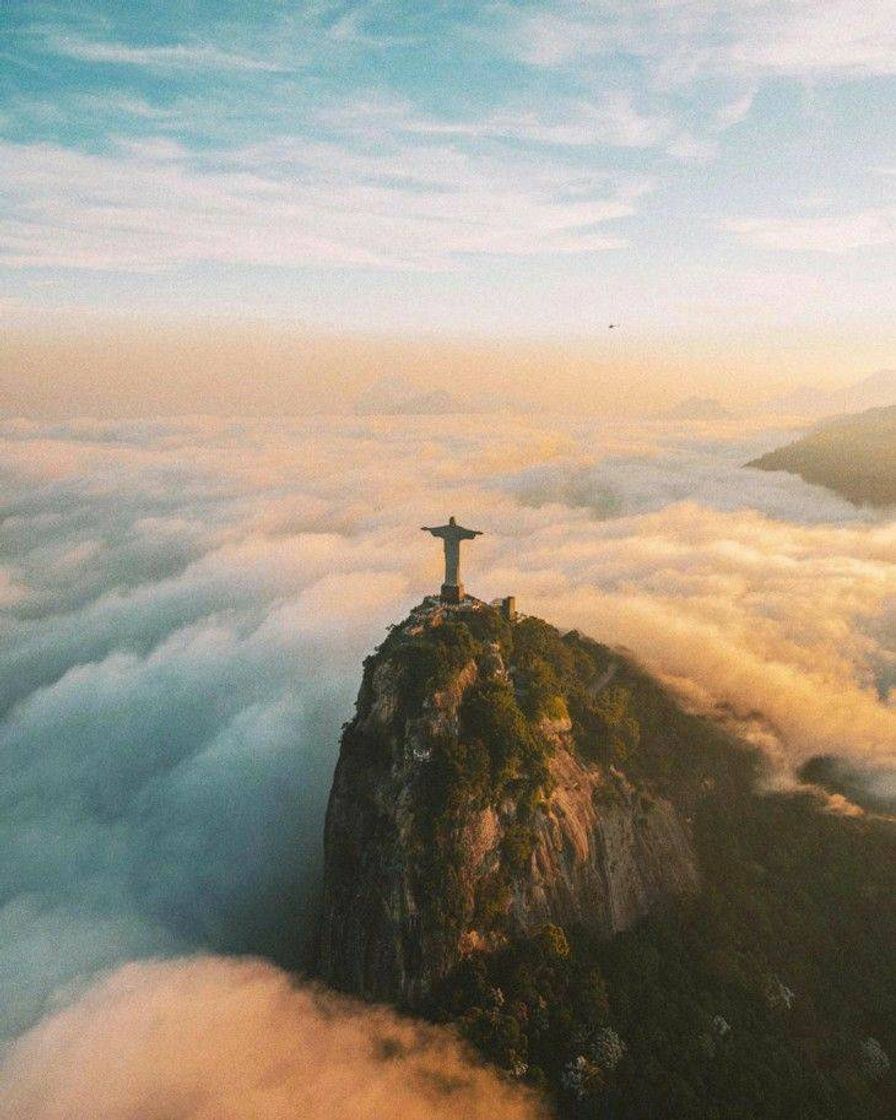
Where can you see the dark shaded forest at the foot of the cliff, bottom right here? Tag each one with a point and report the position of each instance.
(772, 994)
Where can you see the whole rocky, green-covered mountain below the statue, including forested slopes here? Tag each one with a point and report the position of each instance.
(768, 993)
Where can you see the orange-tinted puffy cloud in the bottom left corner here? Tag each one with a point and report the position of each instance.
(217, 1040)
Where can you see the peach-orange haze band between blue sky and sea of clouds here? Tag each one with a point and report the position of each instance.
(125, 370)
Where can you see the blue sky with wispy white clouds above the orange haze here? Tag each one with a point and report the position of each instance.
(505, 169)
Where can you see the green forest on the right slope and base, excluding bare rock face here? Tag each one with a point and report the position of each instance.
(759, 997)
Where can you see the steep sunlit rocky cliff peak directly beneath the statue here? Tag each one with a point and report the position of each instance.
(496, 779)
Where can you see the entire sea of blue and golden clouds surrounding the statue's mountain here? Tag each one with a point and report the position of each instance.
(185, 609)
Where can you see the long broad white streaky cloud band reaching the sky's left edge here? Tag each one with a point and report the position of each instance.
(293, 203)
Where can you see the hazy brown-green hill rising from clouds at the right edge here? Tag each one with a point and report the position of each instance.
(855, 456)
